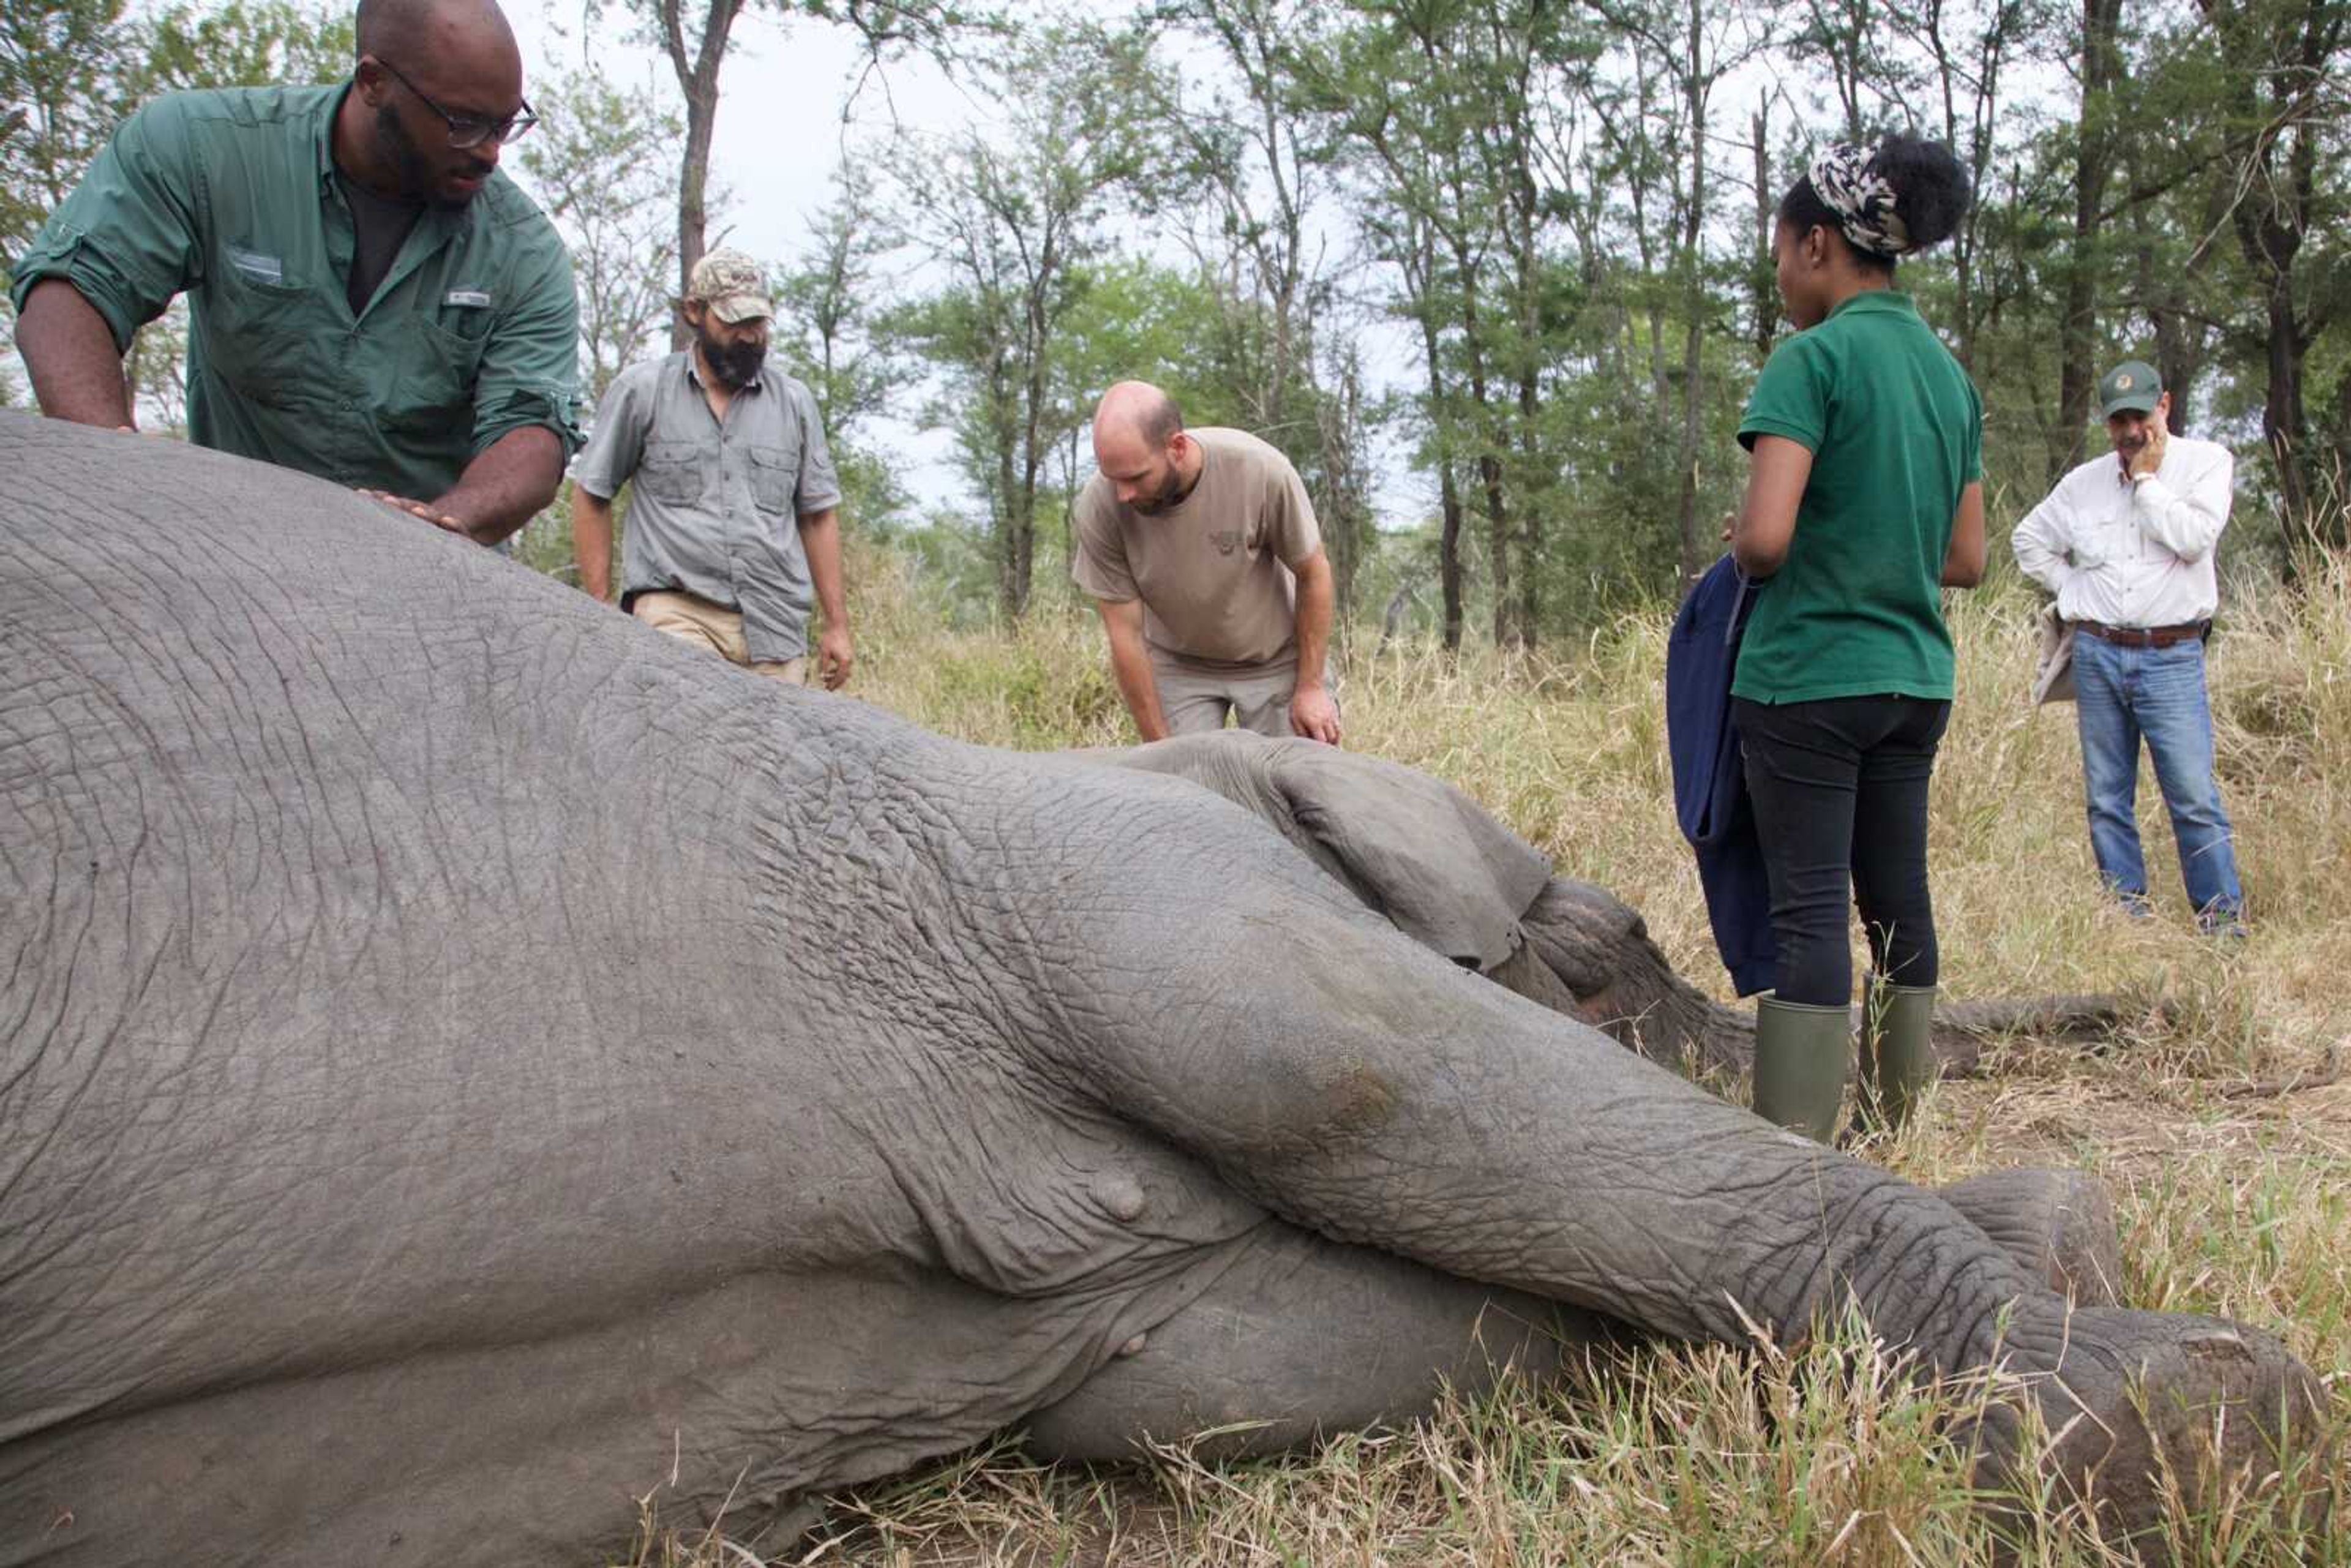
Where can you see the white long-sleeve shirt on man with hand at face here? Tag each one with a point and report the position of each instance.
(2134, 554)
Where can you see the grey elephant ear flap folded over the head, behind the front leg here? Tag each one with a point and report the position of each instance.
(1414, 847)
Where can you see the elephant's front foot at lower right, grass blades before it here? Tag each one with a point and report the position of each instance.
(2150, 1412)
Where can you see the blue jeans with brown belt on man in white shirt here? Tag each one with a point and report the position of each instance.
(2157, 695)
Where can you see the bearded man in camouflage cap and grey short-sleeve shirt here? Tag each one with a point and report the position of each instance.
(735, 507)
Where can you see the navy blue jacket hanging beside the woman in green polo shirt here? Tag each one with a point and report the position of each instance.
(1710, 777)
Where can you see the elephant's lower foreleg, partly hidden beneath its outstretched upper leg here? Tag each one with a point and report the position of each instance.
(1306, 1336)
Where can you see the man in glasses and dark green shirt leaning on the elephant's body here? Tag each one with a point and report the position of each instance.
(370, 297)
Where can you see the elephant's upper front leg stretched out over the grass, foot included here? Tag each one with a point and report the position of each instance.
(1369, 1092)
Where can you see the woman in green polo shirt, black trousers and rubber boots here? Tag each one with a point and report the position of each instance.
(1863, 502)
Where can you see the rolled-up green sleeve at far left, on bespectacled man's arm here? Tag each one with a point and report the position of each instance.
(128, 239)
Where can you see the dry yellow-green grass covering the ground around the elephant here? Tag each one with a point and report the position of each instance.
(2235, 1188)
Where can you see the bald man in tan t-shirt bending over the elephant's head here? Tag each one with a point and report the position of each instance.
(1203, 556)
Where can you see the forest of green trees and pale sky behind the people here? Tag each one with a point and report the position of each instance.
(1492, 272)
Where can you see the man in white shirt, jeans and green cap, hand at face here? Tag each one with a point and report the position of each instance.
(2126, 547)
